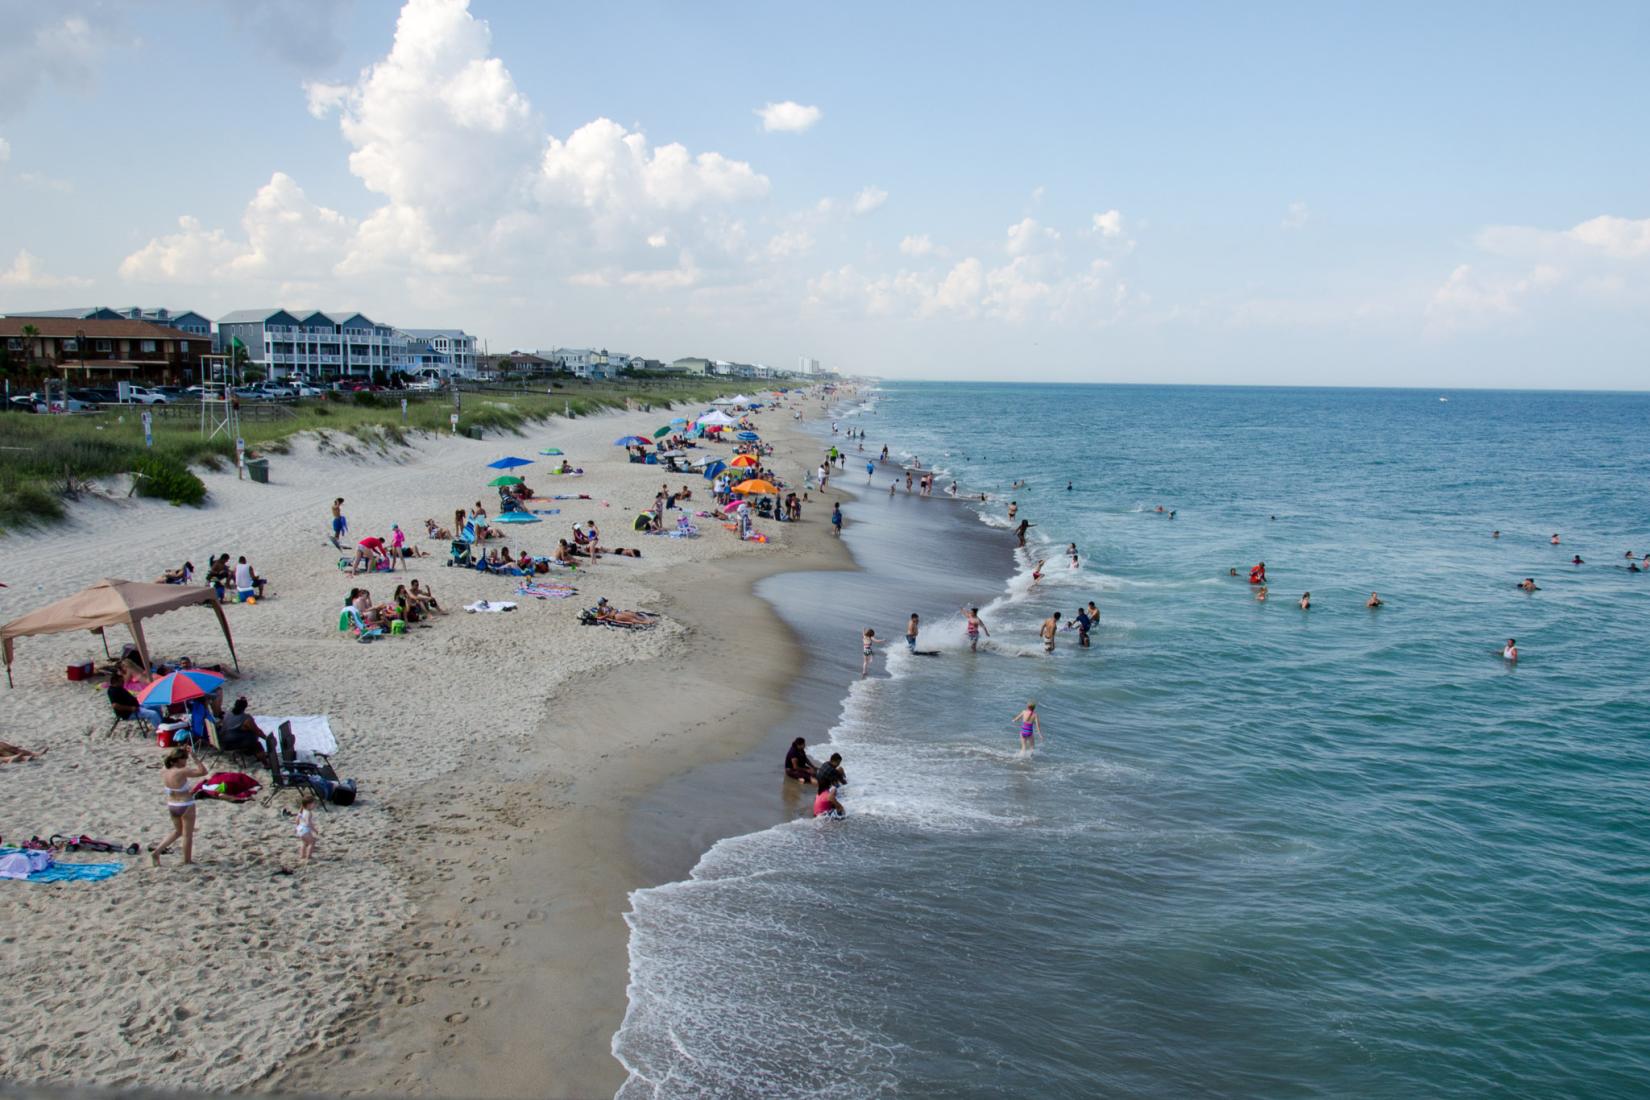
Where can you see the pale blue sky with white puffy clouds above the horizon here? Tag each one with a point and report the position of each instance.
(1278, 194)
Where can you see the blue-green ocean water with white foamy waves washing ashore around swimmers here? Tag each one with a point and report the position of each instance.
(1263, 852)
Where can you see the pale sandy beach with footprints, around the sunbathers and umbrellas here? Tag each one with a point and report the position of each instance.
(483, 877)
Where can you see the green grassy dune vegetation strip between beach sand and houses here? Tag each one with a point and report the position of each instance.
(47, 459)
